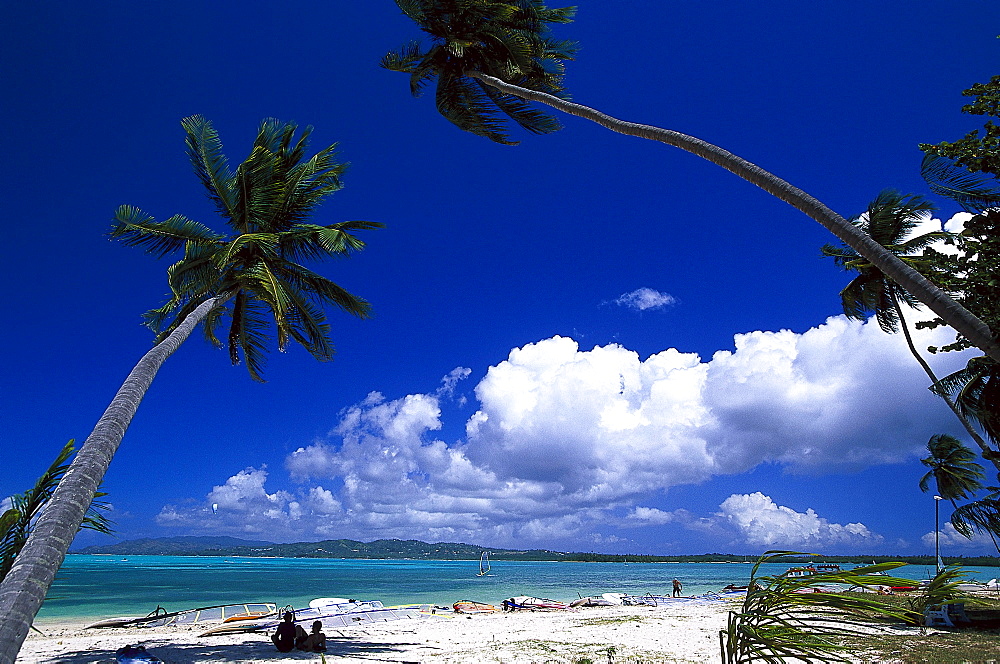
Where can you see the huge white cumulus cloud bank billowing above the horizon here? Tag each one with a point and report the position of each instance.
(567, 443)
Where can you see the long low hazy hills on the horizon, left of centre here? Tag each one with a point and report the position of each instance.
(379, 549)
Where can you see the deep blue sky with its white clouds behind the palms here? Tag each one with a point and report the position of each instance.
(584, 342)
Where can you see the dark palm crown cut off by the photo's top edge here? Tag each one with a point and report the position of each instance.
(507, 40)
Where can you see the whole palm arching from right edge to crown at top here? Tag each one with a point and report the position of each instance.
(490, 57)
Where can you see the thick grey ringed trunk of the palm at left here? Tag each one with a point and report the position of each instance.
(25, 586)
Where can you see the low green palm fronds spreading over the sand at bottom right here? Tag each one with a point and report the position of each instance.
(793, 617)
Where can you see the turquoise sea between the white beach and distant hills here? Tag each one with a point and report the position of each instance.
(98, 586)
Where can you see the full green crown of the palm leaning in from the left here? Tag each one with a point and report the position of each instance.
(256, 268)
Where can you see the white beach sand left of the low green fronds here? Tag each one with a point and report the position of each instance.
(685, 632)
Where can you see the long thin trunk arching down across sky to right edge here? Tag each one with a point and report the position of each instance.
(963, 321)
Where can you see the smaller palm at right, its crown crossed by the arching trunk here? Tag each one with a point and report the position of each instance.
(890, 221)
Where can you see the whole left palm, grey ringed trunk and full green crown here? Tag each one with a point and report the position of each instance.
(252, 275)
